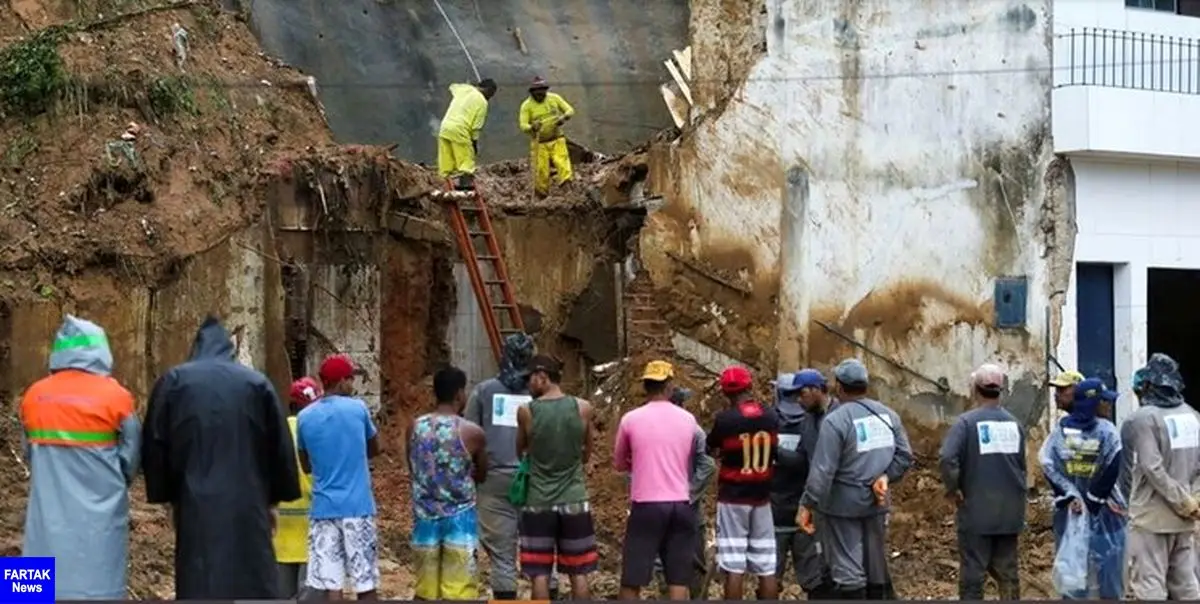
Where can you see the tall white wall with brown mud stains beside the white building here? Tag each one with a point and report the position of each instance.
(877, 170)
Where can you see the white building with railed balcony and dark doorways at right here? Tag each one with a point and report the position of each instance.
(1126, 112)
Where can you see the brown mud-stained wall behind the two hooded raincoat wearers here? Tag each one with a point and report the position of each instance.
(151, 331)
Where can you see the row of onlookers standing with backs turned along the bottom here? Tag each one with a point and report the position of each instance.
(274, 505)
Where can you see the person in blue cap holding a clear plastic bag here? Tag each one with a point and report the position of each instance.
(1077, 459)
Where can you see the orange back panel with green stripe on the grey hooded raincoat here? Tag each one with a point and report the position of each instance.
(74, 409)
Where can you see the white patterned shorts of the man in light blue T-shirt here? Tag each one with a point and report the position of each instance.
(340, 549)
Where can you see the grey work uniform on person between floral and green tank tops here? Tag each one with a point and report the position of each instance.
(494, 408)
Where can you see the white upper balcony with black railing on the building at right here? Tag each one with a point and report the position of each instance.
(1144, 81)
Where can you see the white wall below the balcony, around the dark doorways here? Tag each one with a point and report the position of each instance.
(1137, 216)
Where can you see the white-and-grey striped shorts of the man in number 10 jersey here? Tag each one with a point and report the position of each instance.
(746, 540)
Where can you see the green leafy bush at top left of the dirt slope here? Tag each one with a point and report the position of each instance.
(32, 75)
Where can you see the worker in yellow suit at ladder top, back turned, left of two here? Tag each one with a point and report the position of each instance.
(459, 135)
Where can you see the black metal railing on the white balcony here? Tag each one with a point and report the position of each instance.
(1097, 57)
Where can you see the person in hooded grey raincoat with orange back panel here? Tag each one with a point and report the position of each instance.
(82, 439)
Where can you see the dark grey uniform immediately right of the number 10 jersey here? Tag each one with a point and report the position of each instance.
(797, 441)
